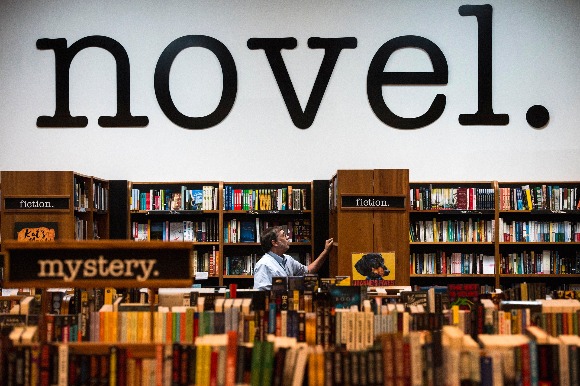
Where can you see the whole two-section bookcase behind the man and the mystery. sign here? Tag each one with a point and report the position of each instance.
(225, 220)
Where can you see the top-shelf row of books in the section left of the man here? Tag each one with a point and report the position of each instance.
(182, 198)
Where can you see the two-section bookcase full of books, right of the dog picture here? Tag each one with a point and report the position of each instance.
(500, 234)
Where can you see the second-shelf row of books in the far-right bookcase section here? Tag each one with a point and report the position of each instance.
(539, 231)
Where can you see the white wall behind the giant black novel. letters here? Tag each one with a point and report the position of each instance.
(536, 52)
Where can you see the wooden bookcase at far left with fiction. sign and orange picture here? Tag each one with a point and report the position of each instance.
(54, 204)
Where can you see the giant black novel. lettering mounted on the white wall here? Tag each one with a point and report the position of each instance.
(377, 78)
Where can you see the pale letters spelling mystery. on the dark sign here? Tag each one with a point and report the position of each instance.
(69, 270)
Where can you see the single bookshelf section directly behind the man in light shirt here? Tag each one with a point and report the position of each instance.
(260, 205)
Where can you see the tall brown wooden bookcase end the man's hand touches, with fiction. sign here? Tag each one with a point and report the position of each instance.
(369, 213)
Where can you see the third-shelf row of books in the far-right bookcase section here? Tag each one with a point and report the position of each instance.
(540, 262)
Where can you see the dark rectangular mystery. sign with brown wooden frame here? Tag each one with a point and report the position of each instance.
(117, 263)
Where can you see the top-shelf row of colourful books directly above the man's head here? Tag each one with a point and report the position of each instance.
(283, 198)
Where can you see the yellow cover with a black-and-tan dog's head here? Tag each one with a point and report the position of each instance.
(373, 268)
